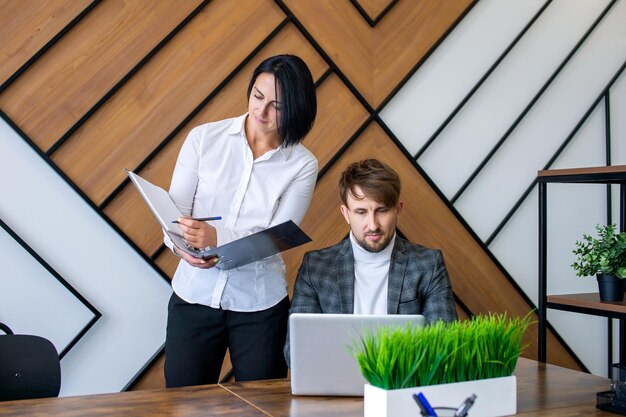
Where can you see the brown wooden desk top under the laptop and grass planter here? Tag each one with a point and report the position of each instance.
(543, 390)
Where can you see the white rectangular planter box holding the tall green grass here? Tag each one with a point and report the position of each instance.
(494, 397)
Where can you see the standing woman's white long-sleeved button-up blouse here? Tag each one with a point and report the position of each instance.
(216, 175)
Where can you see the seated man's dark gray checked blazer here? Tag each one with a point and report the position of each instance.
(418, 283)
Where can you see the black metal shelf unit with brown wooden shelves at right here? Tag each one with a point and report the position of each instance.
(579, 303)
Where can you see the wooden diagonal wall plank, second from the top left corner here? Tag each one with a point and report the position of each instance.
(83, 66)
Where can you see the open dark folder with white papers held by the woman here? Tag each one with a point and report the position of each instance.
(240, 252)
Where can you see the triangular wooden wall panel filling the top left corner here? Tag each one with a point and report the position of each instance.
(27, 26)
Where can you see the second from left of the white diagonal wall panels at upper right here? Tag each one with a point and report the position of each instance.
(488, 115)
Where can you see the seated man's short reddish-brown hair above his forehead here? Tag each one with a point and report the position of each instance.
(378, 181)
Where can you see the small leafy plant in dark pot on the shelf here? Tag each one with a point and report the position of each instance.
(605, 257)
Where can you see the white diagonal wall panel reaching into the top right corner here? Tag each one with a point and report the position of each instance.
(547, 125)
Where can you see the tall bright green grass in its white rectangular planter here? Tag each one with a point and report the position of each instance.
(447, 363)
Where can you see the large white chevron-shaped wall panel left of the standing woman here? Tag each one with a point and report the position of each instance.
(46, 213)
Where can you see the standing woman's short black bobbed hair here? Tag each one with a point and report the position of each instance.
(298, 101)
